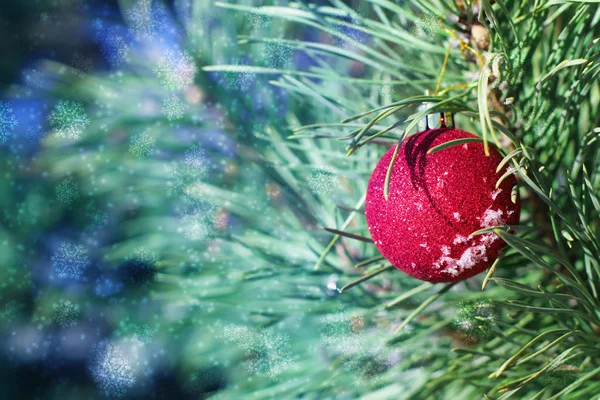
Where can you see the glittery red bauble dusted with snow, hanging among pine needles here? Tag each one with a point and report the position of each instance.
(435, 202)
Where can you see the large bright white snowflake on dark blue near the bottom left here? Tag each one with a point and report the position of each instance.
(112, 370)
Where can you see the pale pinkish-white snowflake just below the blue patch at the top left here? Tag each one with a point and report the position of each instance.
(176, 70)
